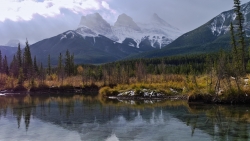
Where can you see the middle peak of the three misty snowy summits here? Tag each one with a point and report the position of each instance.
(127, 22)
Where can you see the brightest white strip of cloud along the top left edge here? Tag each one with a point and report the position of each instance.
(25, 9)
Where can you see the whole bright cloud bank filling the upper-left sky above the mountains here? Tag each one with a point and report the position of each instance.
(40, 19)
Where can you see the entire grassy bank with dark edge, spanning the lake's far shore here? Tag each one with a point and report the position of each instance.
(196, 87)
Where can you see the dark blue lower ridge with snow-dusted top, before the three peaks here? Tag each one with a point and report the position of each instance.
(86, 45)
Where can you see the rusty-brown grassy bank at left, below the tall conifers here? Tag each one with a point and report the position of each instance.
(50, 84)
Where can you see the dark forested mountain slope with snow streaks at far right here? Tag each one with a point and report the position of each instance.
(209, 37)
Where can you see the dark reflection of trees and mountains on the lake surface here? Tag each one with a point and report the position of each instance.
(81, 113)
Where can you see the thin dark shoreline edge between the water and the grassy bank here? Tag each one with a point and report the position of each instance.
(90, 91)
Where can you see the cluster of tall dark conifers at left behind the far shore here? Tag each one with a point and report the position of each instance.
(24, 68)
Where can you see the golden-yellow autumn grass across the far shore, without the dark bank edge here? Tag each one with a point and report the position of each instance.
(186, 85)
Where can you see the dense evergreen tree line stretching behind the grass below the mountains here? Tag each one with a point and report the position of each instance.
(23, 67)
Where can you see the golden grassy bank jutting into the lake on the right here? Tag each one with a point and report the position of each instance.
(197, 88)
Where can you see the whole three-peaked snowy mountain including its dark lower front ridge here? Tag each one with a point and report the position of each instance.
(95, 41)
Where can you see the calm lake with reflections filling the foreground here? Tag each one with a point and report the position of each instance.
(81, 118)
